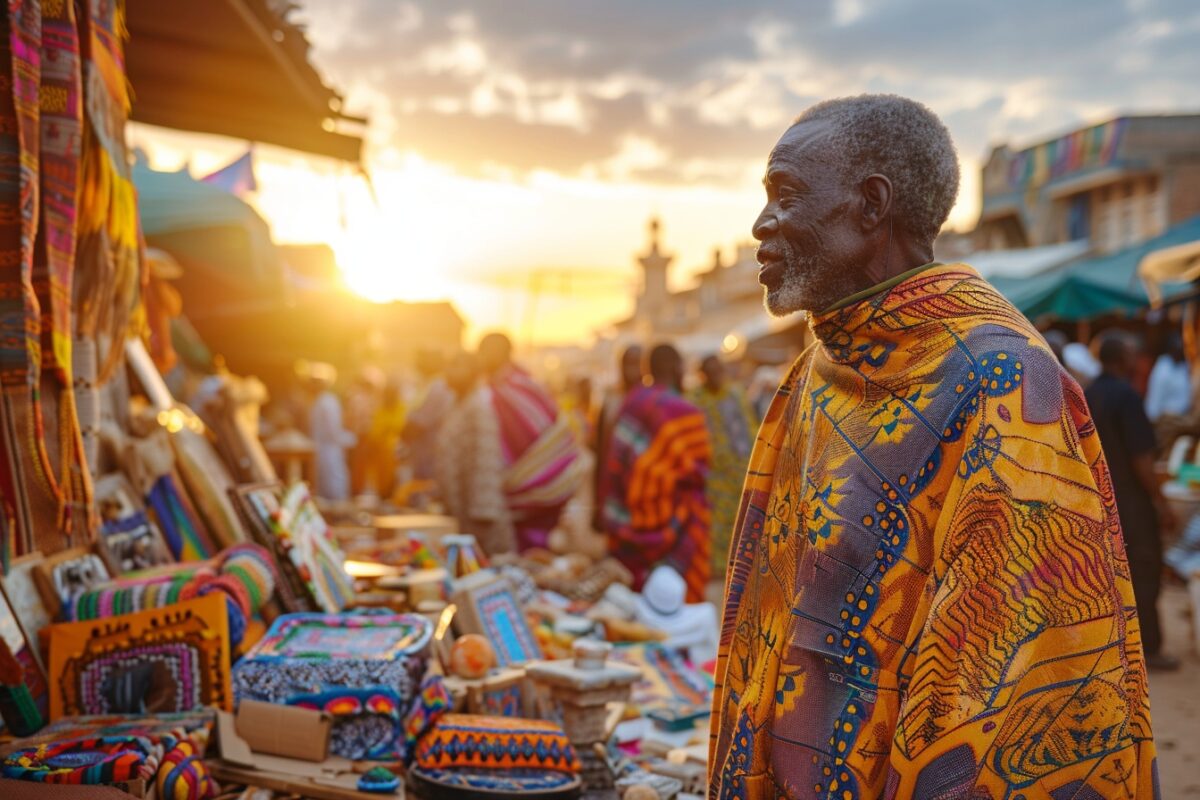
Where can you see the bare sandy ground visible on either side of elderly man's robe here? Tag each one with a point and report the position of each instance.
(1174, 697)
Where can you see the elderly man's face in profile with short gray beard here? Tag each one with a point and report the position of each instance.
(812, 243)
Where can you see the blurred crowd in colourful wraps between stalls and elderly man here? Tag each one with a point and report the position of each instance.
(647, 468)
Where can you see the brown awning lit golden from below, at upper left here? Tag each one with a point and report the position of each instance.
(237, 69)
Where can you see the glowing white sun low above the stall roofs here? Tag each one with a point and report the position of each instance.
(382, 268)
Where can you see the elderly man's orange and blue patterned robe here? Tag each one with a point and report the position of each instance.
(929, 597)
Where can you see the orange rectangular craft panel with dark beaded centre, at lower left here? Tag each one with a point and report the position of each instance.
(171, 659)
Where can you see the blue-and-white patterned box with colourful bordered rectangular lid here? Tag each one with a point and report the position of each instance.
(307, 654)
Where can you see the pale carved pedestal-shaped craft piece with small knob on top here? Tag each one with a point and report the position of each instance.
(584, 688)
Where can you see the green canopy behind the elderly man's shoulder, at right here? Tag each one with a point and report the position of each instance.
(1094, 287)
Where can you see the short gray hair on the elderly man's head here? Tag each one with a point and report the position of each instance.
(903, 140)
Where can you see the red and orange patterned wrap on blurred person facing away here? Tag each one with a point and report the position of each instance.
(655, 508)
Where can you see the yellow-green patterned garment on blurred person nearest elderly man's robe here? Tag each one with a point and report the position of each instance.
(731, 429)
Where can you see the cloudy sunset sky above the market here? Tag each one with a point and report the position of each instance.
(517, 142)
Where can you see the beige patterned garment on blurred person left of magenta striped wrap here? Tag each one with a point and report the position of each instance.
(471, 473)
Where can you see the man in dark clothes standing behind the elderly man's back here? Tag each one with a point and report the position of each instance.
(1129, 442)
